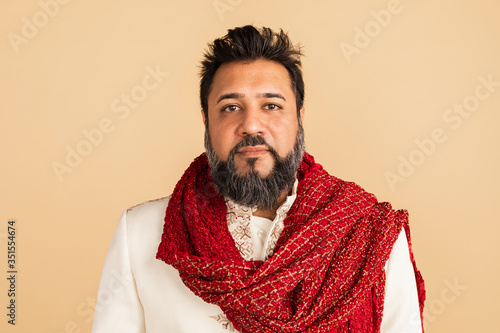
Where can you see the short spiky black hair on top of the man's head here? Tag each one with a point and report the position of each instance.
(248, 44)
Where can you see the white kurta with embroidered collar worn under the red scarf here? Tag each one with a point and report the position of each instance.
(139, 293)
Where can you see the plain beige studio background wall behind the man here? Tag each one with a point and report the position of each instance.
(63, 74)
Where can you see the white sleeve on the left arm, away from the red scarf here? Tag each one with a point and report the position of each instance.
(118, 308)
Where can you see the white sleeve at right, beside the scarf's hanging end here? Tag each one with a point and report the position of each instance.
(401, 308)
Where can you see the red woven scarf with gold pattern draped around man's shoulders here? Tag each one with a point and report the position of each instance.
(327, 271)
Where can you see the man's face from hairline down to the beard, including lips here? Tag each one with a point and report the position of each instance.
(252, 99)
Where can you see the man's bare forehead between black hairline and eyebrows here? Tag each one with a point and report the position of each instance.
(251, 77)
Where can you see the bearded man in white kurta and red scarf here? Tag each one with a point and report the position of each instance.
(256, 236)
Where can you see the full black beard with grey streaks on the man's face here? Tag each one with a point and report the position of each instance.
(251, 189)
